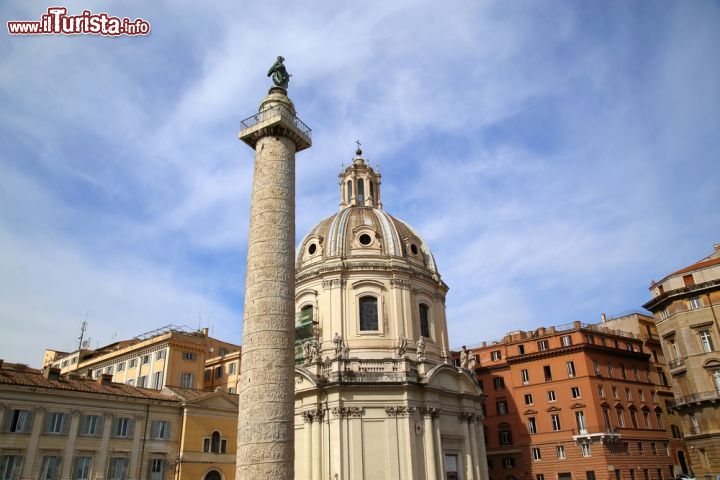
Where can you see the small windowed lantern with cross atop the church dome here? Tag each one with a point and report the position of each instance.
(359, 184)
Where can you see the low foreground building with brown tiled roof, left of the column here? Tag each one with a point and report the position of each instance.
(58, 427)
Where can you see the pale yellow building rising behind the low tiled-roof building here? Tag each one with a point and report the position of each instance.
(168, 356)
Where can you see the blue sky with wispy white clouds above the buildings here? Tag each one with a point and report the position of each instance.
(556, 156)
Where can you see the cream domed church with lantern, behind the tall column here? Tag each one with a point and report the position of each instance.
(376, 395)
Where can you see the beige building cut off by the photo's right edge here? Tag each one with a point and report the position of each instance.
(686, 310)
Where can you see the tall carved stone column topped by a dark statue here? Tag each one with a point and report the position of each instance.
(266, 387)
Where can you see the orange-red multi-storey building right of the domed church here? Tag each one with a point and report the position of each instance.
(575, 401)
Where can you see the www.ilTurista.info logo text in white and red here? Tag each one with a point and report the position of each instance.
(57, 22)
